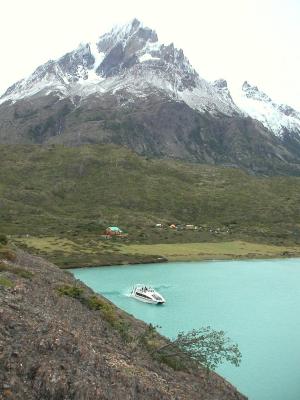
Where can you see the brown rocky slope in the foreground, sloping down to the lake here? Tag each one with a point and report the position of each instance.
(60, 341)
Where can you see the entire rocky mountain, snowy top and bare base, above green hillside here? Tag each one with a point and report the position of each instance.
(128, 88)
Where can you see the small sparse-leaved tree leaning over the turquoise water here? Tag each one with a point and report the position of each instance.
(205, 346)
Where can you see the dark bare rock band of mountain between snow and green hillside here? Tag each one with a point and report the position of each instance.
(155, 126)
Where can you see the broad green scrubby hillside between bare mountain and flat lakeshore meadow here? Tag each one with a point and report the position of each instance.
(74, 193)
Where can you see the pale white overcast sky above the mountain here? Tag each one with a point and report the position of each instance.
(253, 40)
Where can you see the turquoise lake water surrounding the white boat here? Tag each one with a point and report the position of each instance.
(257, 303)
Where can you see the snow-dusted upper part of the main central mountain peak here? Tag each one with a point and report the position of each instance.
(128, 58)
